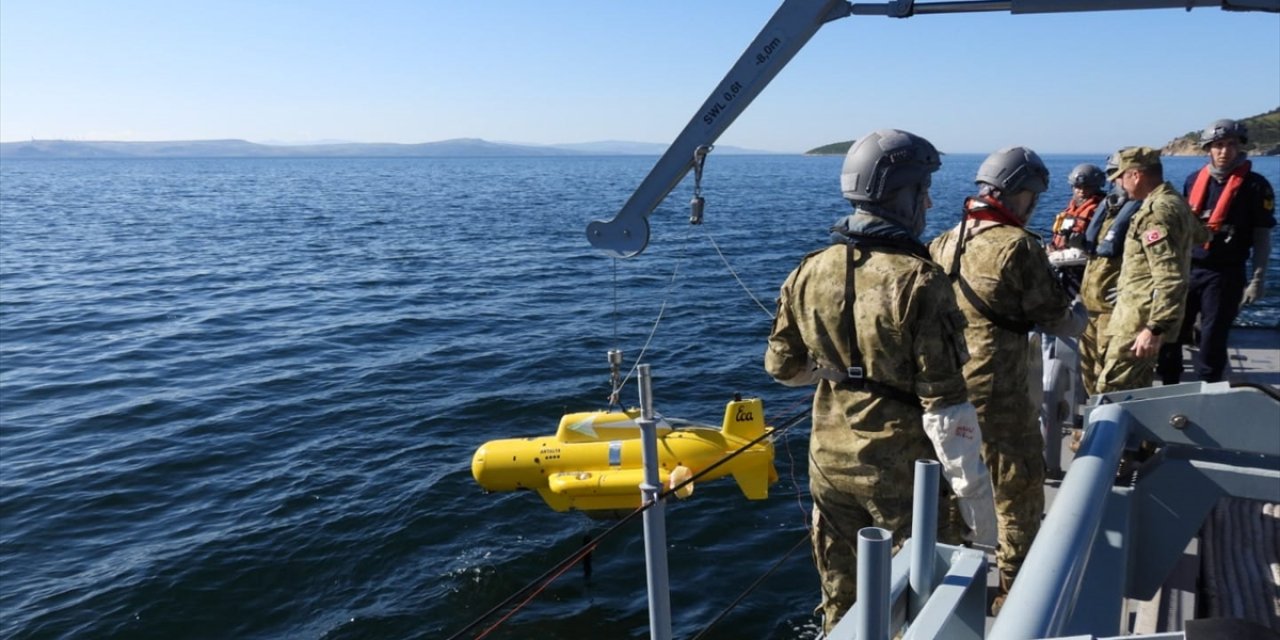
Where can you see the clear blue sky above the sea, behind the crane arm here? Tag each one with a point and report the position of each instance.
(557, 71)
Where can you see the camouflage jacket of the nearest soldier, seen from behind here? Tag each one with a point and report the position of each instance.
(907, 326)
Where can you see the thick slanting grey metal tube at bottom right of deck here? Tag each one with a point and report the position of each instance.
(1050, 580)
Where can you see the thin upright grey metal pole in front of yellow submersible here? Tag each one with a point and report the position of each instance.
(655, 518)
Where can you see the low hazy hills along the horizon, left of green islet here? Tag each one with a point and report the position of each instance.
(459, 148)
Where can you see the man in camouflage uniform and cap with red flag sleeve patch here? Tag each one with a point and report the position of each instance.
(1154, 273)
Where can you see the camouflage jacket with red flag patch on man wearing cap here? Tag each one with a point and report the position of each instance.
(1154, 277)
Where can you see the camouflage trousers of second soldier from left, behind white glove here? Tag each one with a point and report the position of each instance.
(1017, 465)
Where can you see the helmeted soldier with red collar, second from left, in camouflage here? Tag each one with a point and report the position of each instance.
(1007, 287)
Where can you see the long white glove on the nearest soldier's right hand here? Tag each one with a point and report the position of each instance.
(958, 444)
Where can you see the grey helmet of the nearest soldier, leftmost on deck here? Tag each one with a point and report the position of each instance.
(885, 162)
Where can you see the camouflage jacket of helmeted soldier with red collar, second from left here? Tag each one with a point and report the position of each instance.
(1007, 268)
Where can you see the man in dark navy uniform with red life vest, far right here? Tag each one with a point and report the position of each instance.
(1237, 207)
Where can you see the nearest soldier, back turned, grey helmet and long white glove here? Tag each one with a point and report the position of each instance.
(875, 324)
